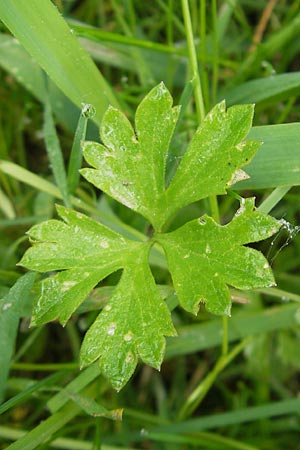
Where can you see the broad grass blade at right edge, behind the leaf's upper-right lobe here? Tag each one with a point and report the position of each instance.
(277, 162)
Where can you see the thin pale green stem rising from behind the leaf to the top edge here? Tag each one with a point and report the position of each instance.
(193, 61)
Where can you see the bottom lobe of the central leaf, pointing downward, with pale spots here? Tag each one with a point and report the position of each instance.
(133, 324)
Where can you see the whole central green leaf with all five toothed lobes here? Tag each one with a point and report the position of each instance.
(204, 258)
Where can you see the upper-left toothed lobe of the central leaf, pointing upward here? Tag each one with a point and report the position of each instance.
(130, 166)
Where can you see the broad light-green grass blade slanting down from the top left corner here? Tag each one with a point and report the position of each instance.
(43, 32)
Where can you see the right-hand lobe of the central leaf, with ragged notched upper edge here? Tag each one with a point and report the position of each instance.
(204, 257)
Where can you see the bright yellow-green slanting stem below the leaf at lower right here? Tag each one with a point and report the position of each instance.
(202, 389)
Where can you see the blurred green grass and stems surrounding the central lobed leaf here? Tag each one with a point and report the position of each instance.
(247, 51)
